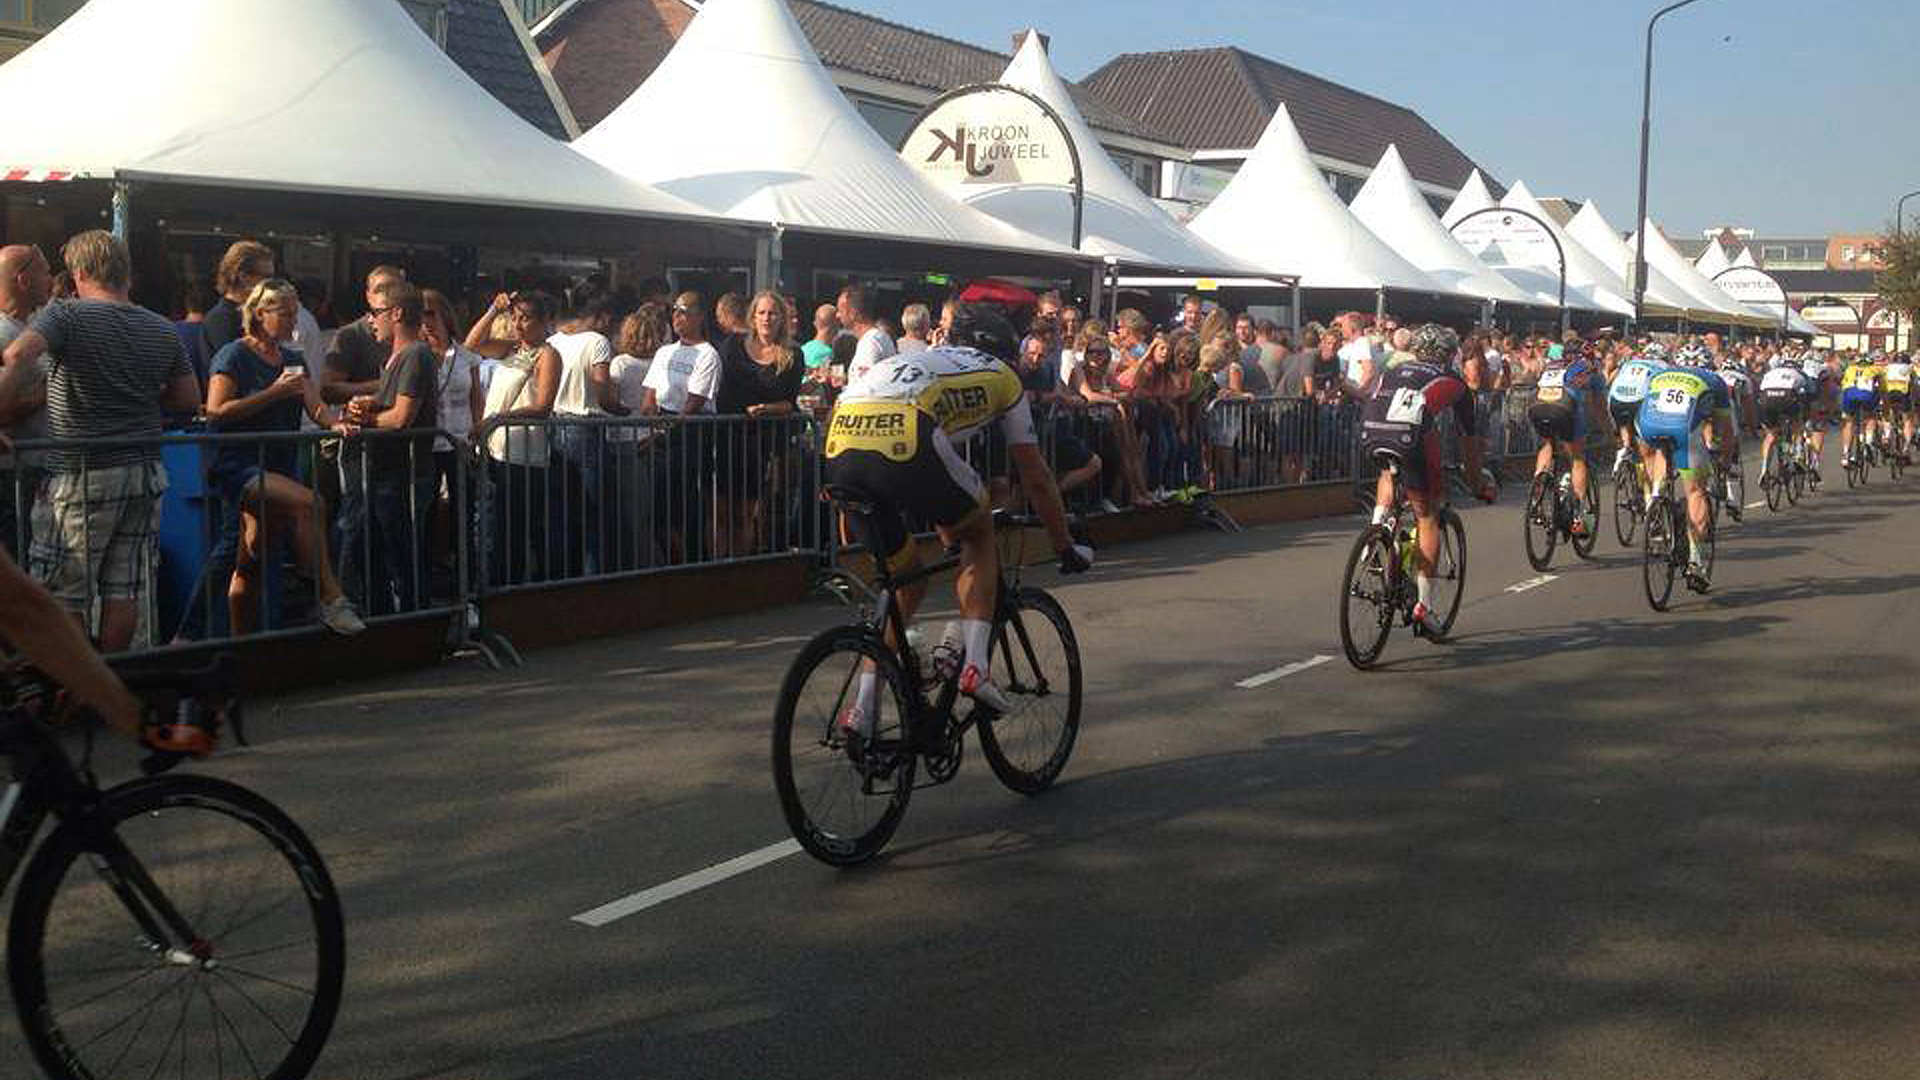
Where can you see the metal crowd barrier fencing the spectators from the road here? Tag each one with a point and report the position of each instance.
(425, 524)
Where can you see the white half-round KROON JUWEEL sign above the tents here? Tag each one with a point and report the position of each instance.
(992, 137)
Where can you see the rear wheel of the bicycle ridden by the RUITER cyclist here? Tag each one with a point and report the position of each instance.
(844, 793)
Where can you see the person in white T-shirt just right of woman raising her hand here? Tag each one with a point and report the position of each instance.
(577, 497)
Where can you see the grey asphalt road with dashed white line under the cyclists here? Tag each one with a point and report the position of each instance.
(1583, 841)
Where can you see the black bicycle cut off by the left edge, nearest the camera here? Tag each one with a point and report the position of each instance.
(166, 902)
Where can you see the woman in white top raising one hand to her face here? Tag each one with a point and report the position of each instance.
(517, 399)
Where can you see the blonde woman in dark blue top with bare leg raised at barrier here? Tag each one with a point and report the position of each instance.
(258, 385)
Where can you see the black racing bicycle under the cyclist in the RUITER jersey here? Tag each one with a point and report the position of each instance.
(915, 722)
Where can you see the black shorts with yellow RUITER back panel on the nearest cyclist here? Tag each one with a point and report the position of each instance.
(903, 462)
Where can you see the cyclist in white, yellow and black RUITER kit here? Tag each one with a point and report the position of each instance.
(896, 437)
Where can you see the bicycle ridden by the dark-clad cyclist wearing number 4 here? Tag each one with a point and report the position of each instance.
(1380, 576)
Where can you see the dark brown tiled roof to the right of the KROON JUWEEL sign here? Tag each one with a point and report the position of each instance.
(1222, 99)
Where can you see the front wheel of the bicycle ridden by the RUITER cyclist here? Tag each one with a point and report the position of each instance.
(1038, 666)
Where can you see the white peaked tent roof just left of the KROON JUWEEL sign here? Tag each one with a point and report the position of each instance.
(811, 160)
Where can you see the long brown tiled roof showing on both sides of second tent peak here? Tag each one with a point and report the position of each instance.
(846, 39)
